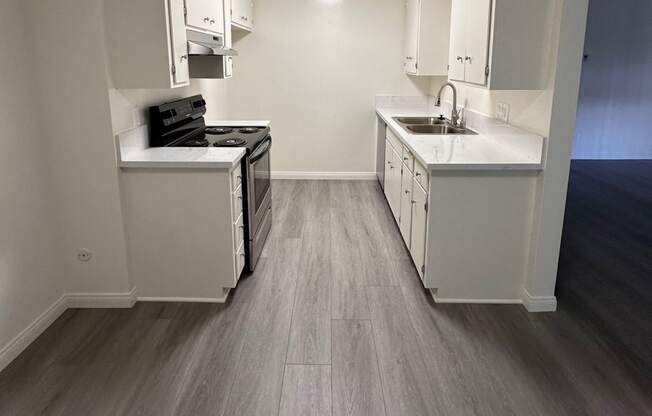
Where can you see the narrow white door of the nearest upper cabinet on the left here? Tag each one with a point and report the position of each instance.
(178, 44)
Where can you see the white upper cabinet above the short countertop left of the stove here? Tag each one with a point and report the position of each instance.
(146, 43)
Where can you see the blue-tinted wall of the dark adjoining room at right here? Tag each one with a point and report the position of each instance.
(616, 94)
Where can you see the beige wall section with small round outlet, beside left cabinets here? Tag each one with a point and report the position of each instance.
(71, 82)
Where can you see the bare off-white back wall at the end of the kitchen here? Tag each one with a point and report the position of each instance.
(314, 68)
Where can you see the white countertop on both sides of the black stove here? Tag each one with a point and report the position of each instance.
(134, 151)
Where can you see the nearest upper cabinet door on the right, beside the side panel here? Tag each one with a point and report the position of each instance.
(478, 21)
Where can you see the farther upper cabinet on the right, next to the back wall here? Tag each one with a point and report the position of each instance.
(427, 34)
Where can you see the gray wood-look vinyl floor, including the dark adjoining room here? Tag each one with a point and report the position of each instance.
(335, 322)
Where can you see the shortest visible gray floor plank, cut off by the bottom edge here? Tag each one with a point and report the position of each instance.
(306, 390)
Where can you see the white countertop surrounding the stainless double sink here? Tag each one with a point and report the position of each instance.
(496, 146)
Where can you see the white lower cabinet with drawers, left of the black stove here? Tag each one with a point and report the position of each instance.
(186, 232)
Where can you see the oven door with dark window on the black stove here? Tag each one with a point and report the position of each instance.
(259, 185)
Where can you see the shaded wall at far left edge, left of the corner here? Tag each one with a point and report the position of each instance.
(30, 271)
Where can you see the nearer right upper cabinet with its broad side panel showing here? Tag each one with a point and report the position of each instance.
(499, 44)
